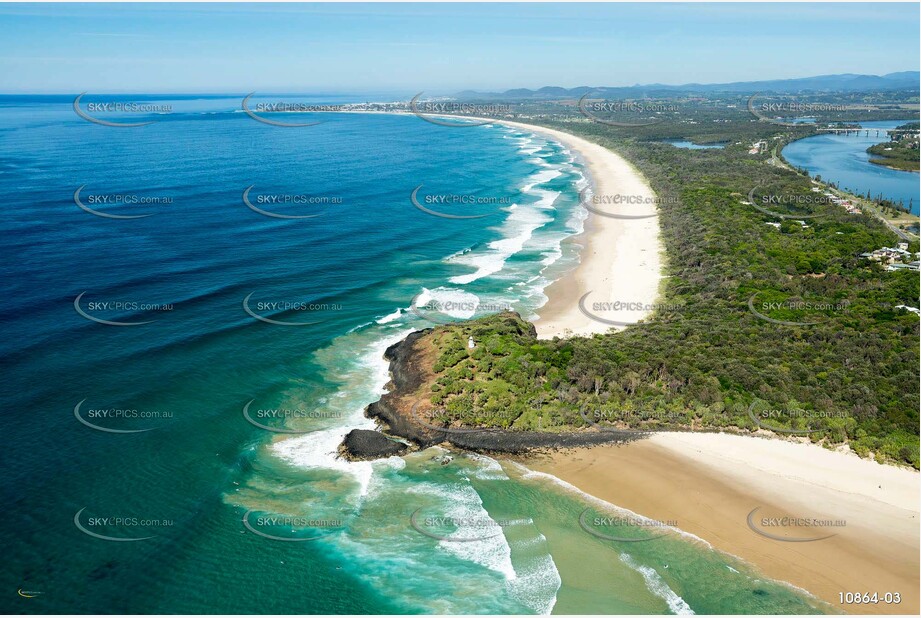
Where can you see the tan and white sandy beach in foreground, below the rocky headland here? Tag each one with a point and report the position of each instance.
(711, 483)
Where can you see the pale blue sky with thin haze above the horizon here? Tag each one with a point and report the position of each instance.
(378, 48)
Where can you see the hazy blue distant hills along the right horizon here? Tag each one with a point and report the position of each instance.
(845, 82)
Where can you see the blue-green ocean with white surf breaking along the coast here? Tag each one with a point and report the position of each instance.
(183, 485)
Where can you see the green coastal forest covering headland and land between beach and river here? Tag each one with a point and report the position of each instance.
(765, 317)
